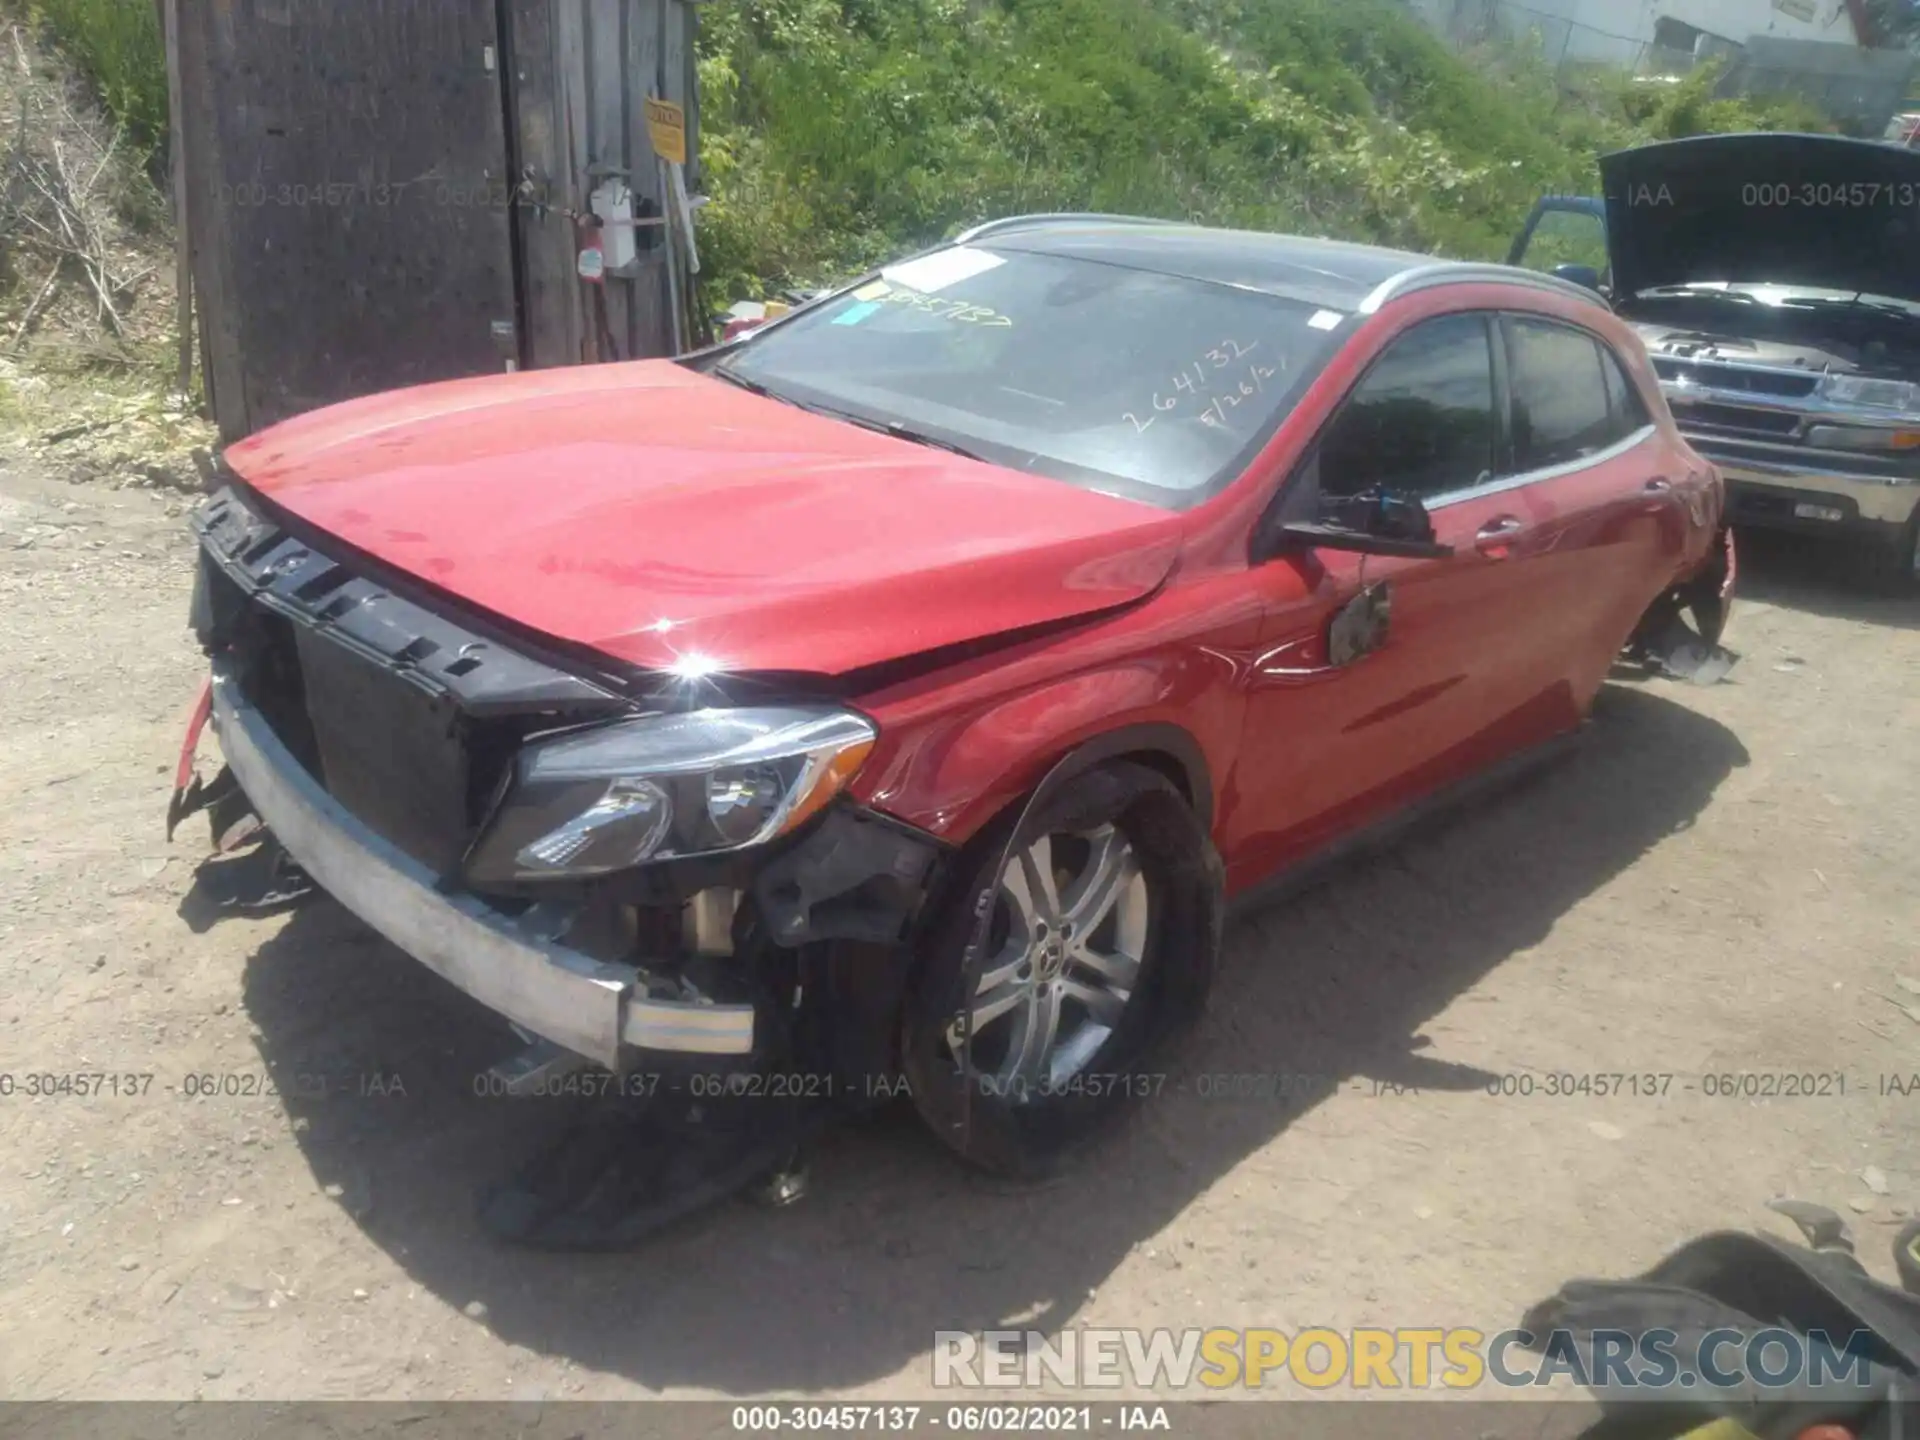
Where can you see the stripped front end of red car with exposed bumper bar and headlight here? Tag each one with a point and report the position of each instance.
(681, 900)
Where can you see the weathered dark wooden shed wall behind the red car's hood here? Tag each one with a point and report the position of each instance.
(379, 195)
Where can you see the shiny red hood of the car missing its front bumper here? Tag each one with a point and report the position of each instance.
(663, 517)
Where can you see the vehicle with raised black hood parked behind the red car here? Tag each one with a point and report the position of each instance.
(1775, 281)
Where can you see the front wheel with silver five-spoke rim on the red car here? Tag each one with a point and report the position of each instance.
(1020, 1111)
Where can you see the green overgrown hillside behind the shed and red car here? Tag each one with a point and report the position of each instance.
(840, 132)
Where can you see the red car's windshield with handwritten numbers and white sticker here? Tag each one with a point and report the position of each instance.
(1115, 379)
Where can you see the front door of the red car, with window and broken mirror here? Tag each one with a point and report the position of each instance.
(1337, 740)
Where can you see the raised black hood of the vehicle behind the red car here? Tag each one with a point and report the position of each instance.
(1810, 210)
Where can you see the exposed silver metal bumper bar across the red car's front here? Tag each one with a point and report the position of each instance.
(594, 1009)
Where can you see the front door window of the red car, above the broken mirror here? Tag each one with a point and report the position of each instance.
(1422, 421)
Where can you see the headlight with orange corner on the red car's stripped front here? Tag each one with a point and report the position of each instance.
(667, 786)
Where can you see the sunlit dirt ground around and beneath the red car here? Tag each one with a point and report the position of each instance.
(1721, 880)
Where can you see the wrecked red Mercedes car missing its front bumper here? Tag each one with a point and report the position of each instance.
(900, 694)
